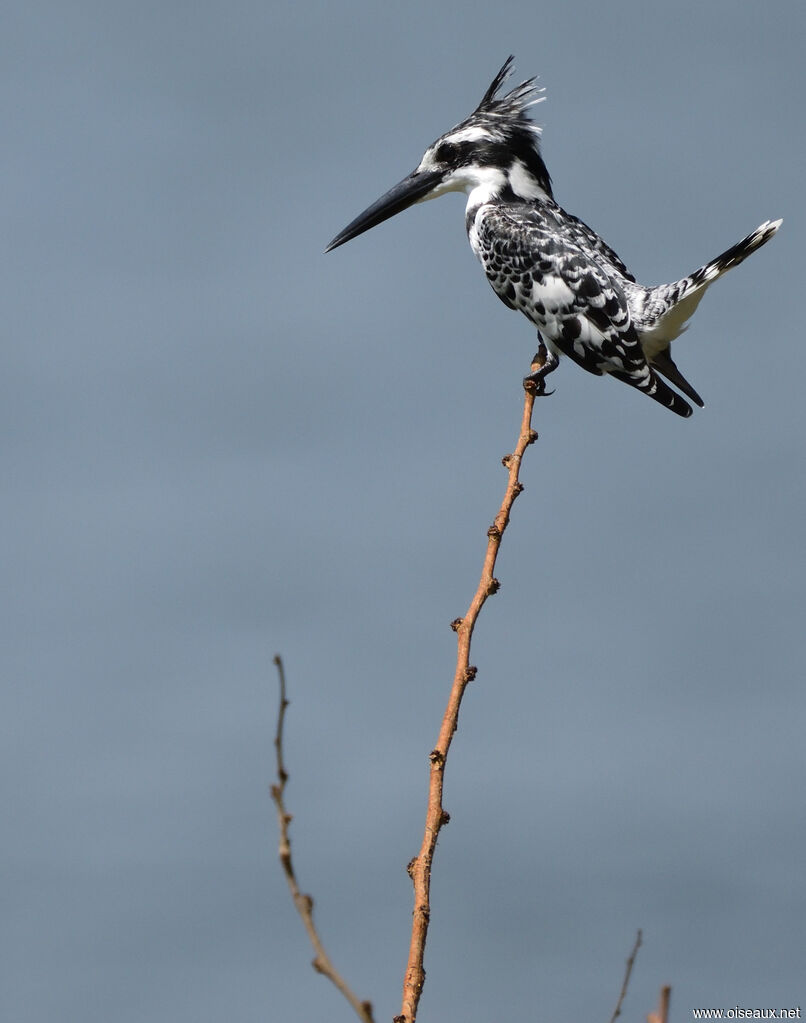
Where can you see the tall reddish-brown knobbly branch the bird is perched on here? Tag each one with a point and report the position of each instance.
(420, 868)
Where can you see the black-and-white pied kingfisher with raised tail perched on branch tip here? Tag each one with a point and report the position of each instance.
(546, 262)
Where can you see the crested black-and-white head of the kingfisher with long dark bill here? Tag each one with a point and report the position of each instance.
(495, 153)
